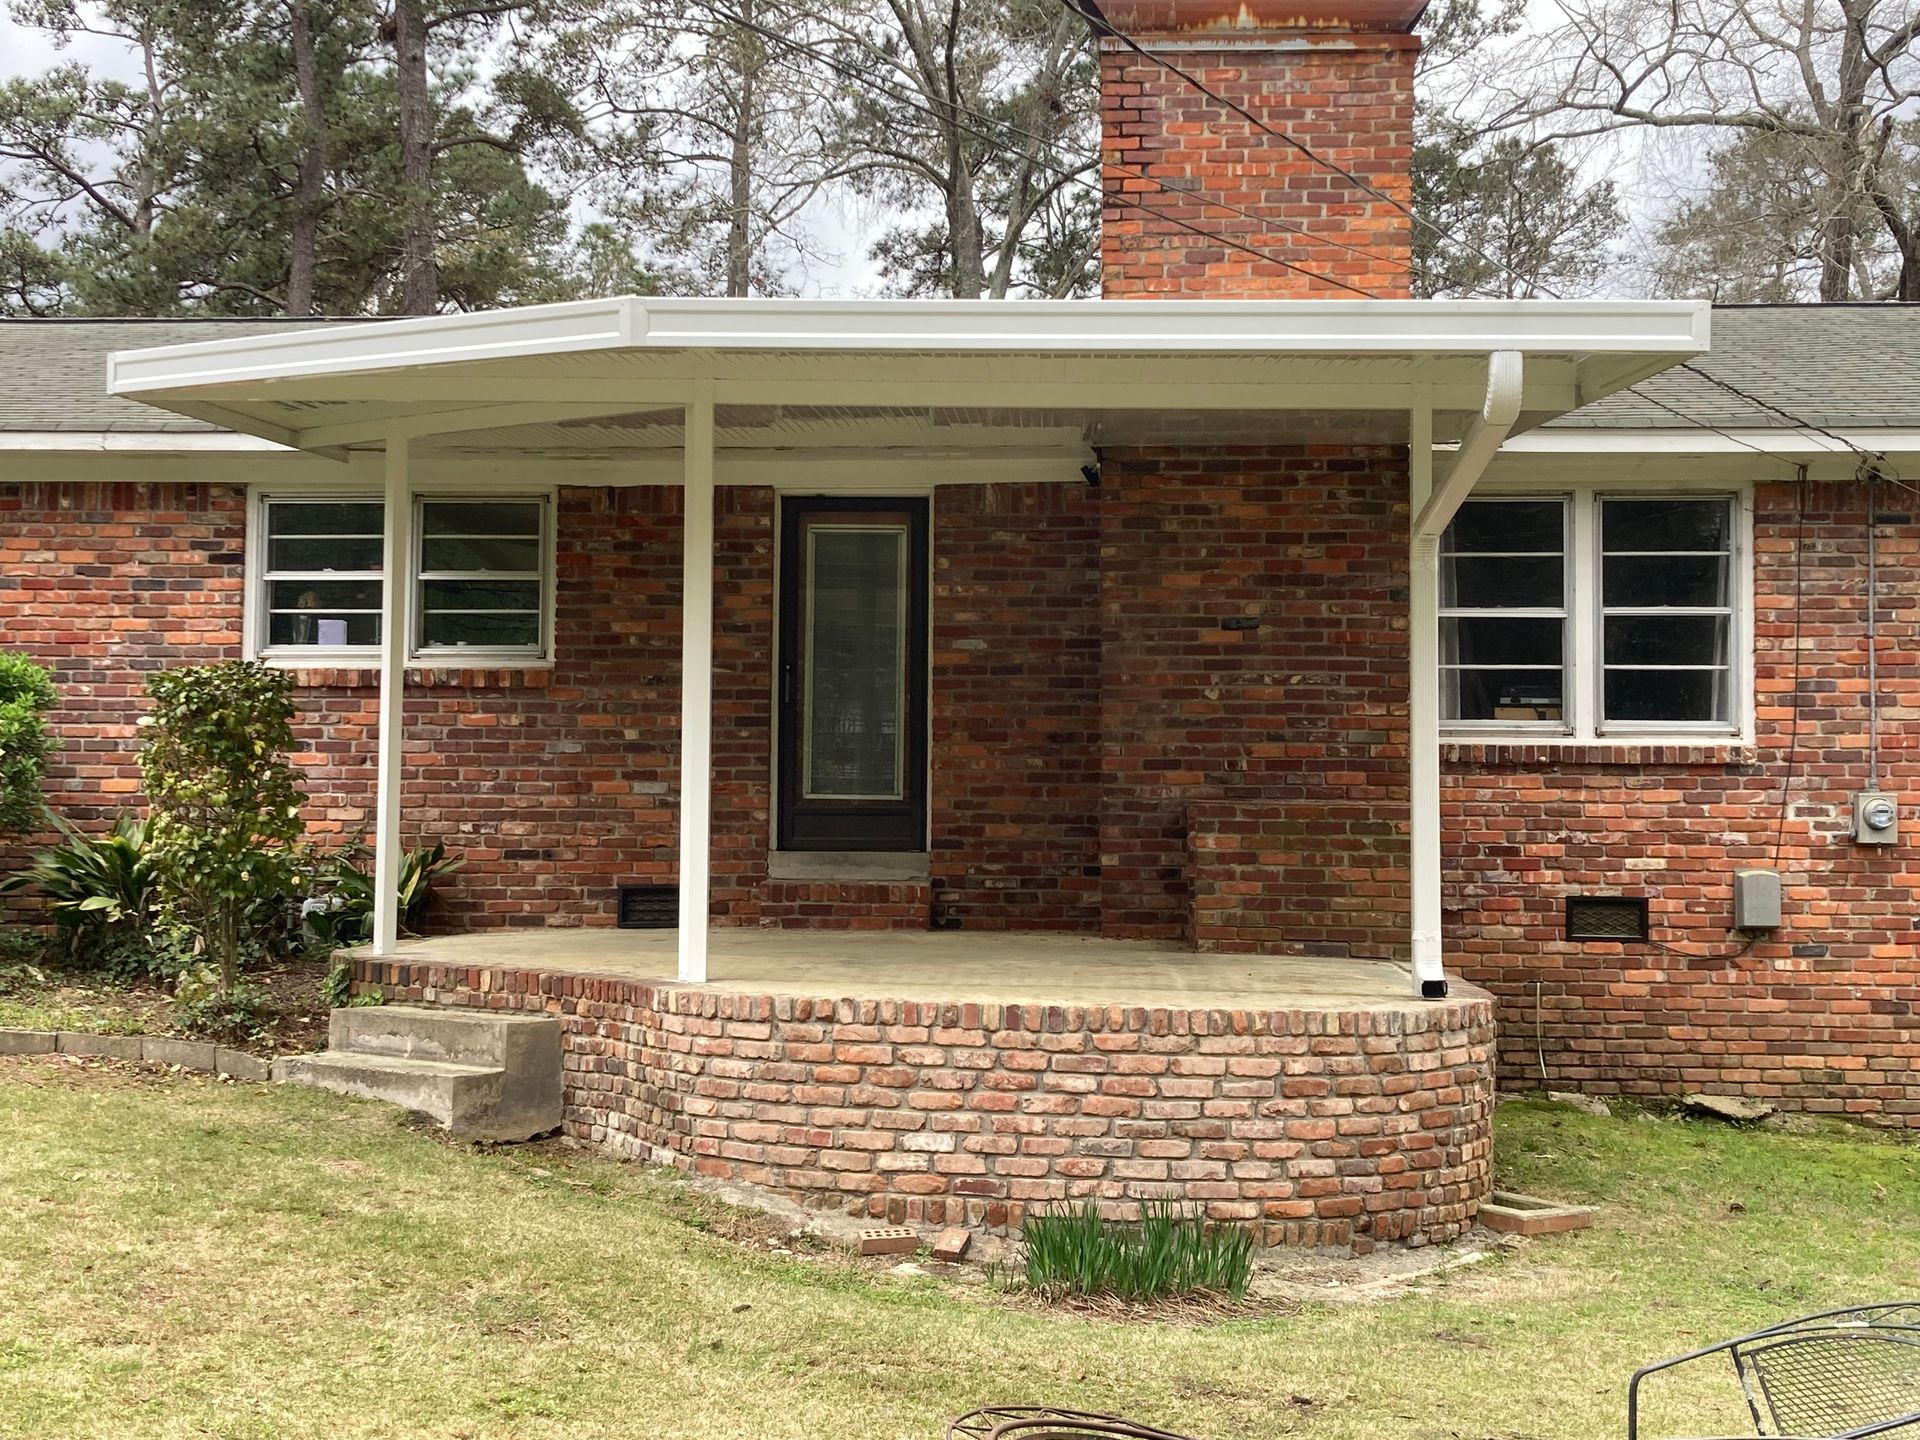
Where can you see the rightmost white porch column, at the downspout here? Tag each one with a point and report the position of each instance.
(1424, 706)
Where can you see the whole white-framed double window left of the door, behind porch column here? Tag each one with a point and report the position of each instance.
(481, 573)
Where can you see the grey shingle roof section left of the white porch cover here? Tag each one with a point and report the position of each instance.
(55, 373)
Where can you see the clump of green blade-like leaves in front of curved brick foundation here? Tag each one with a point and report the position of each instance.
(1168, 1253)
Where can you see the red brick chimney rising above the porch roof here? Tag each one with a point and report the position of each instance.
(1333, 74)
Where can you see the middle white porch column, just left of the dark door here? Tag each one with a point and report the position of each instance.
(696, 683)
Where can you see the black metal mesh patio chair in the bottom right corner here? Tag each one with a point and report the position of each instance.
(1840, 1376)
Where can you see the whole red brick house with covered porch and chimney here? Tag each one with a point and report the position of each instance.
(949, 757)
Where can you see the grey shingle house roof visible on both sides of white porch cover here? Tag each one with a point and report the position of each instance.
(1833, 366)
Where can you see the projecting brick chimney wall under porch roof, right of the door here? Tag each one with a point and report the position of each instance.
(1266, 761)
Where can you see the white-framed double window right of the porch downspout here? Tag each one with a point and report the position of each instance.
(1596, 613)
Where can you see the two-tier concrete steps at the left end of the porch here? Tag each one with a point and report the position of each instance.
(479, 1076)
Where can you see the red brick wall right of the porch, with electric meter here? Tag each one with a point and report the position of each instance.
(1819, 1017)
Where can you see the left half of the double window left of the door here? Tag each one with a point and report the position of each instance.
(322, 577)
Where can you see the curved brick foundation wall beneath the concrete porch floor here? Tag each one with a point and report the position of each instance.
(1332, 1128)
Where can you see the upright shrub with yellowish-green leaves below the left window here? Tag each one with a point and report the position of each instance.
(226, 804)
